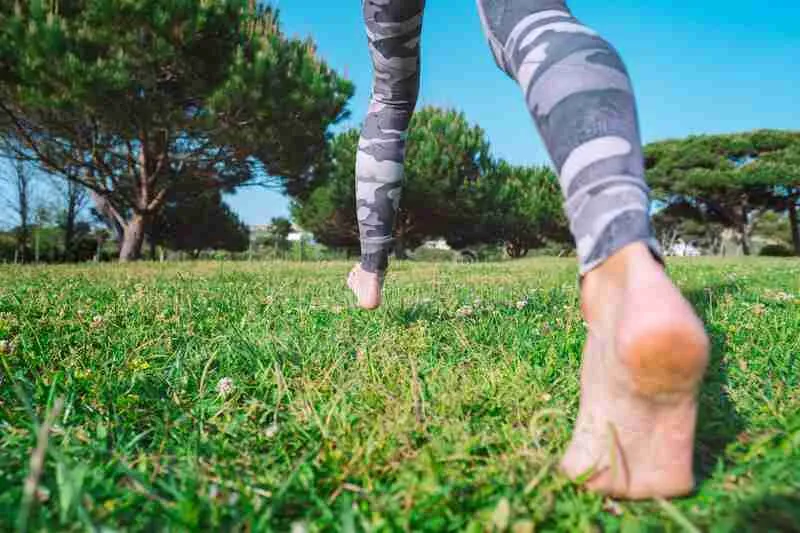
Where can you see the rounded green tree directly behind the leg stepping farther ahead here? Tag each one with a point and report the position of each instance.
(445, 156)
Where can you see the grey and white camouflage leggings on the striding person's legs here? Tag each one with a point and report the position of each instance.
(578, 93)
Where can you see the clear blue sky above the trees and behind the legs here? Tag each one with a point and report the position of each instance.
(697, 67)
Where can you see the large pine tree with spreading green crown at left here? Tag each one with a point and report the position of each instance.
(138, 99)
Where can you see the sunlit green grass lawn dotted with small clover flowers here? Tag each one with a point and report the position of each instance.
(426, 415)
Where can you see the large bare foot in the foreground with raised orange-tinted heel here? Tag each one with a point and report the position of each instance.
(642, 365)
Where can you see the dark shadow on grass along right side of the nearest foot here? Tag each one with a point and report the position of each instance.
(718, 423)
